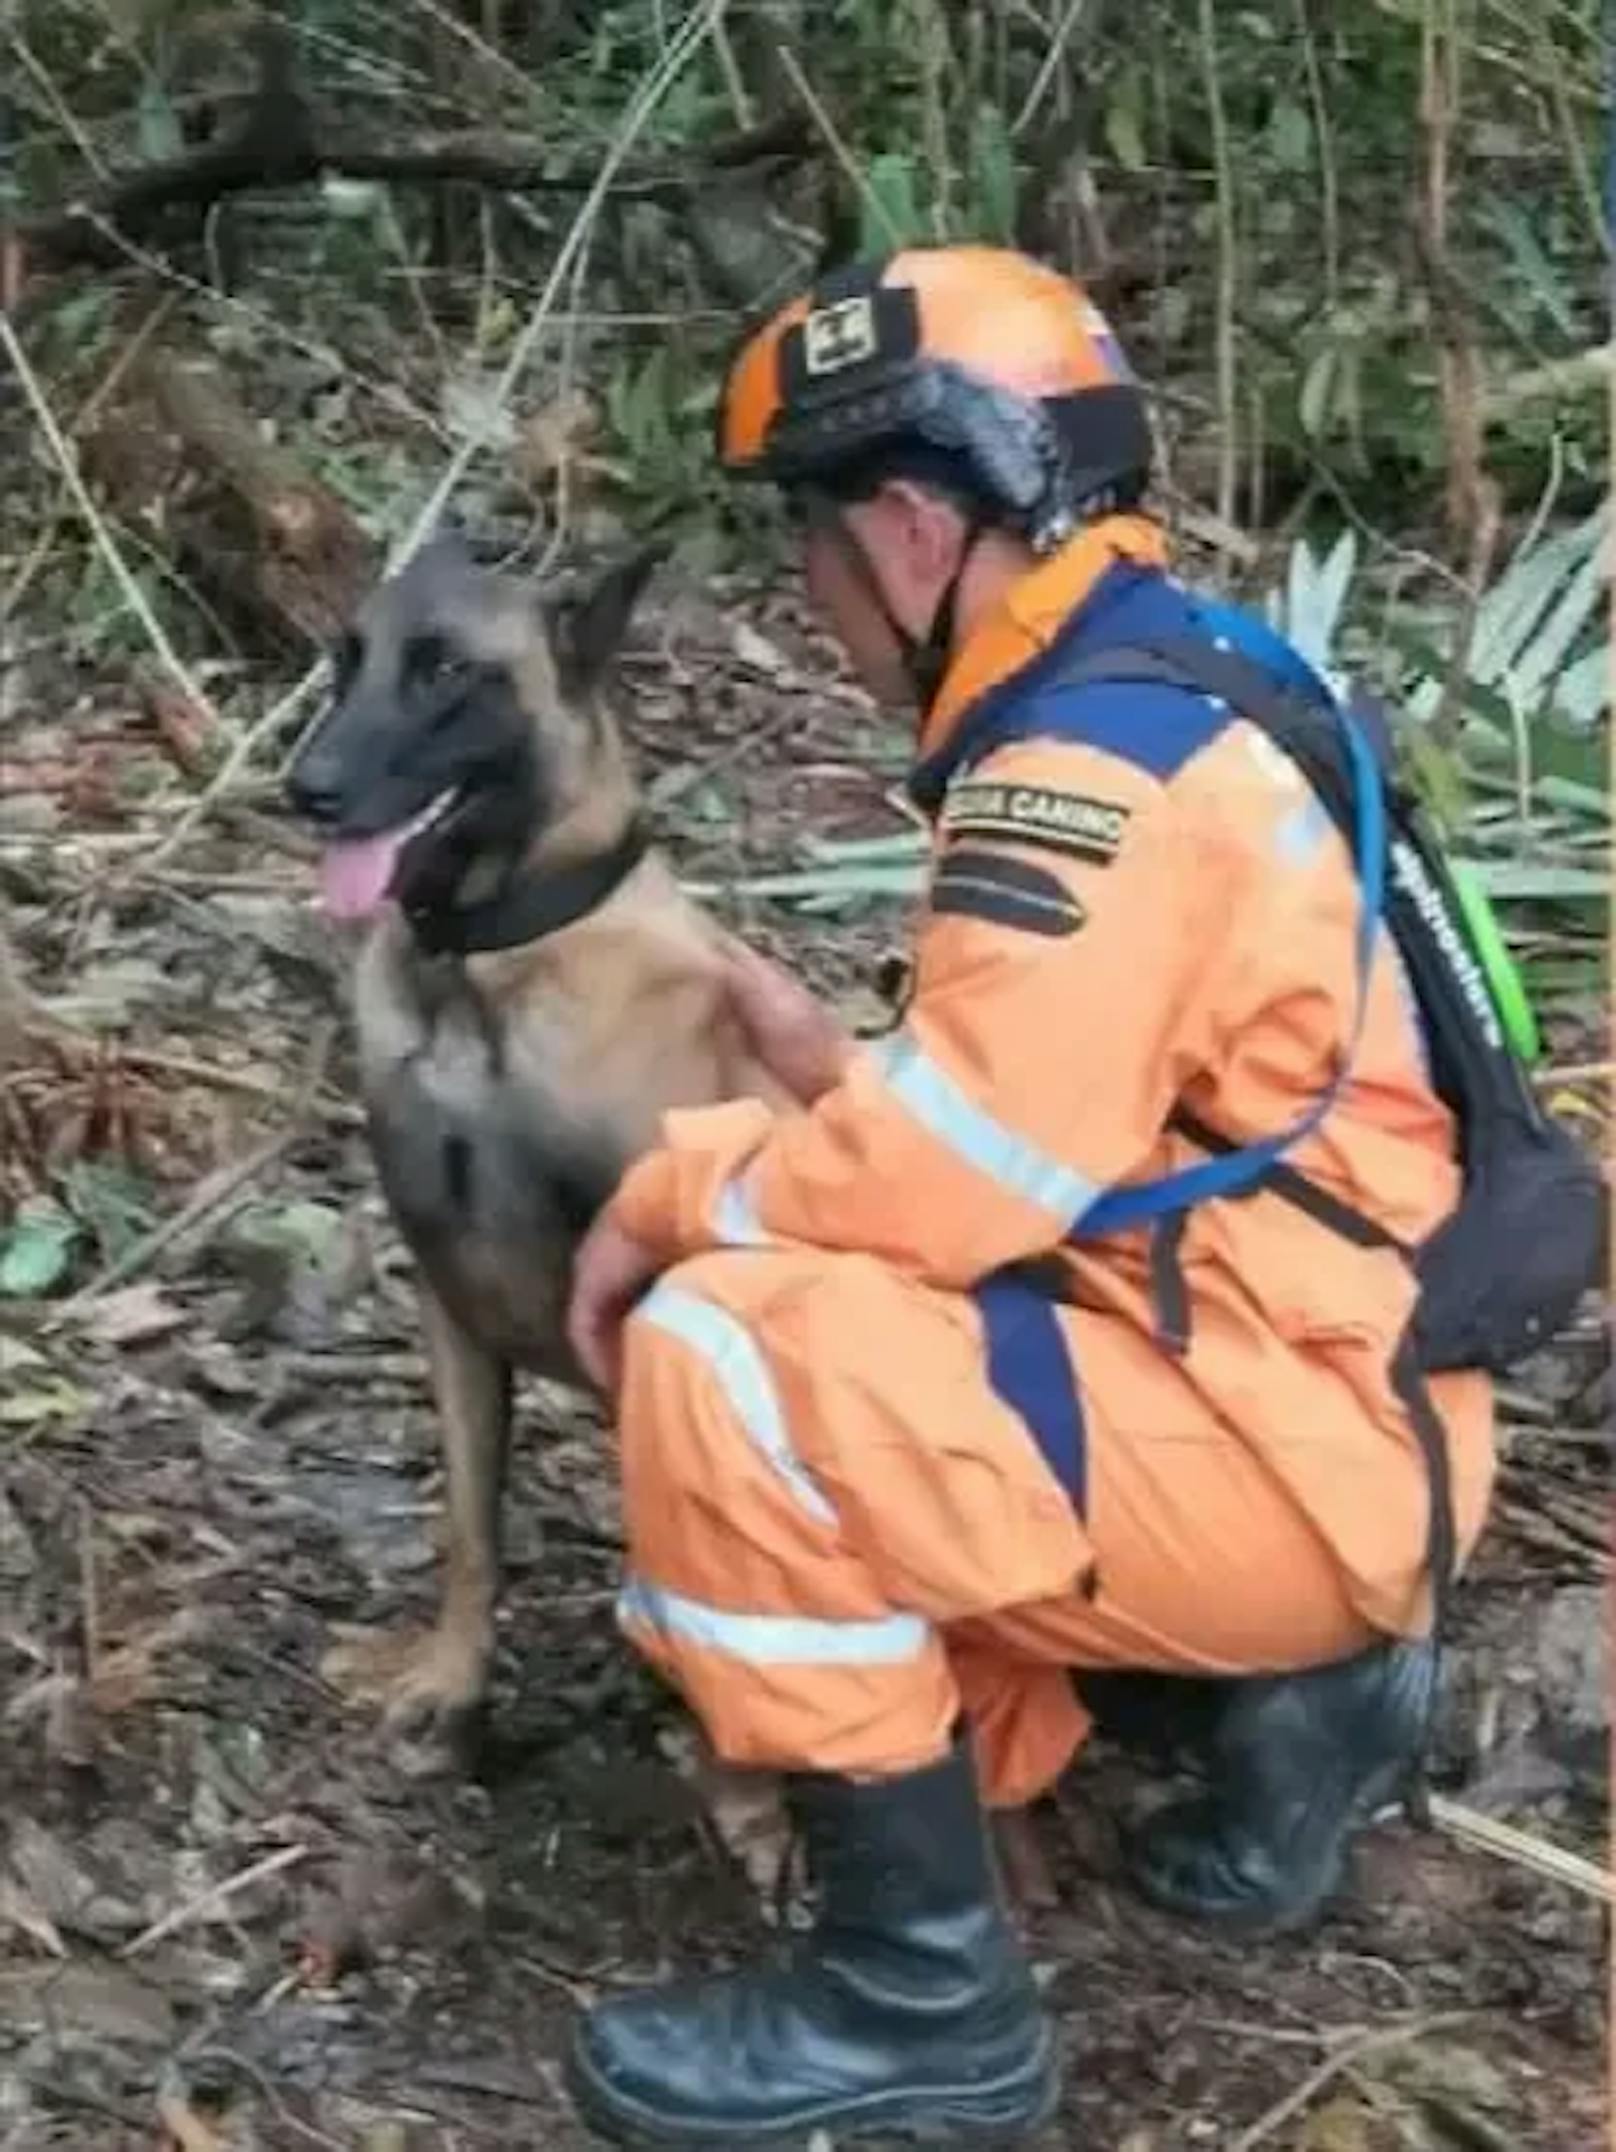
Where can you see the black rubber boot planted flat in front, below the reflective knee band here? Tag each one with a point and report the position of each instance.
(907, 2013)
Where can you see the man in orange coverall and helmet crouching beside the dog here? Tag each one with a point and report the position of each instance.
(905, 1456)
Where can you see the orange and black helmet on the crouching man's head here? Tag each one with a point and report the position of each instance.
(961, 363)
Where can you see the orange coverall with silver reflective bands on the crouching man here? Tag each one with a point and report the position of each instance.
(840, 1531)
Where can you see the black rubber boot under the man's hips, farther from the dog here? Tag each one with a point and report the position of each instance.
(1296, 1764)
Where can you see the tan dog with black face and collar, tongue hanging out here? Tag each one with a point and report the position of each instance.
(533, 991)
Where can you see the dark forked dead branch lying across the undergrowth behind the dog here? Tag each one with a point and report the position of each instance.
(283, 143)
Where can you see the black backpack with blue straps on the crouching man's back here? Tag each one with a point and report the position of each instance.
(1527, 1241)
